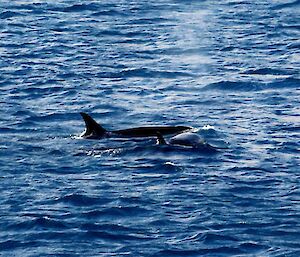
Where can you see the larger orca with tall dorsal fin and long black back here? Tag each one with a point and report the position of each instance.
(94, 130)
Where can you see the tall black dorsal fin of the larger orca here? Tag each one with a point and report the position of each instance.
(93, 129)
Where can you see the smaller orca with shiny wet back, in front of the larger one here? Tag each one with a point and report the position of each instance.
(187, 139)
